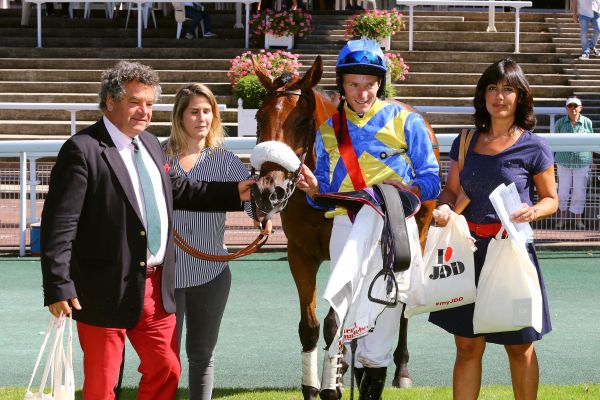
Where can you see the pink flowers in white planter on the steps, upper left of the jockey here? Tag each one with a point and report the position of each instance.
(280, 27)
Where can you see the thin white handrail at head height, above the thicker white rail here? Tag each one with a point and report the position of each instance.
(74, 107)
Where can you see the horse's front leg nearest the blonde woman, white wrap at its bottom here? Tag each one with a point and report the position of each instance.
(304, 270)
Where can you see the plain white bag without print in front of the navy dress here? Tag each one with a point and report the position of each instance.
(509, 297)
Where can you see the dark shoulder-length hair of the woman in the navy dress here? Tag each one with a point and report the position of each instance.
(507, 72)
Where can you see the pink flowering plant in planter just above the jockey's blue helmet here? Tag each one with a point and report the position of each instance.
(377, 25)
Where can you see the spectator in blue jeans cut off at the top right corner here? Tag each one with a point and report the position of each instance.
(587, 12)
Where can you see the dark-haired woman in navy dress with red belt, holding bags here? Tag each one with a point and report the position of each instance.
(503, 150)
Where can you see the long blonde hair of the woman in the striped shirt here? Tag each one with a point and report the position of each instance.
(178, 138)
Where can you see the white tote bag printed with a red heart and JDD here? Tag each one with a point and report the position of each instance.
(448, 273)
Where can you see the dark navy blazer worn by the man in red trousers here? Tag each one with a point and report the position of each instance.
(93, 240)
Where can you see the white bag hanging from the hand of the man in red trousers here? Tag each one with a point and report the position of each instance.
(59, 363)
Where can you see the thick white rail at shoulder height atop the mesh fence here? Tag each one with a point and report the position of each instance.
(31, 150)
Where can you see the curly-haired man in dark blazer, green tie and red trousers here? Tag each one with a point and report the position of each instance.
(95, 260)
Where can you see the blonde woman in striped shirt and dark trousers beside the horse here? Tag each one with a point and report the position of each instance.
(201, 286)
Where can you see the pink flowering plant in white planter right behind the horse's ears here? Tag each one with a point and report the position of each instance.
(246, 86)
